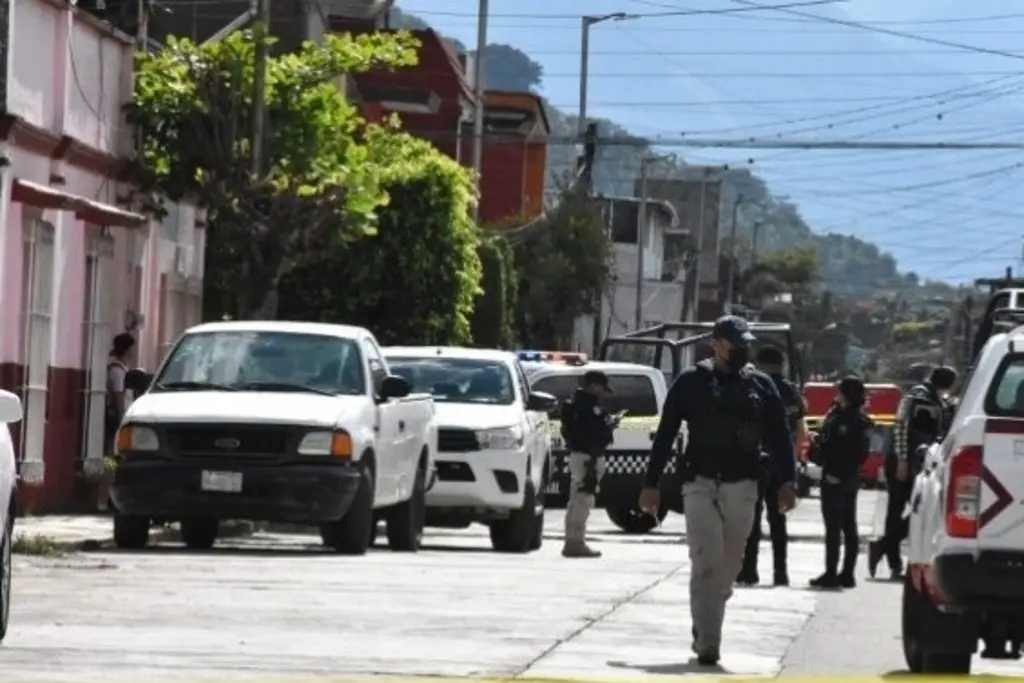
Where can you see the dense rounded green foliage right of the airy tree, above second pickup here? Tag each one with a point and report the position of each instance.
(416, 280)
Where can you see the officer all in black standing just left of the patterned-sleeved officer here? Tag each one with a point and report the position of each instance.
(842, 445)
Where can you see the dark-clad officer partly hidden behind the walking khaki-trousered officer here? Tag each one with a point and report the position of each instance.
(772, 362)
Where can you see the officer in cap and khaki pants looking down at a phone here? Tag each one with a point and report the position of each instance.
(588, 431)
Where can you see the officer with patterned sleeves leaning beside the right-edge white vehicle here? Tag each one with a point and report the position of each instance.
(923, 418)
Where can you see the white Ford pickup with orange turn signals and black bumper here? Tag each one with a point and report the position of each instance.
(290, 422)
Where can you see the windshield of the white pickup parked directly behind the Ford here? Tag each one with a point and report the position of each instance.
(458, 380)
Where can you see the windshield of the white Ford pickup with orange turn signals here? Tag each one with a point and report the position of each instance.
(264, 362)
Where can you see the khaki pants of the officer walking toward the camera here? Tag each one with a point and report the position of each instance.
(719, 518)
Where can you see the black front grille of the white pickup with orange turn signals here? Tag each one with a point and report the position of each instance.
(229, 441)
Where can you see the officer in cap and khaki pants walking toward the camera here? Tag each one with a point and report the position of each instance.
(734, 412)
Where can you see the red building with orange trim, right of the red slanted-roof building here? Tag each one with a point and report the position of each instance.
(515, 161)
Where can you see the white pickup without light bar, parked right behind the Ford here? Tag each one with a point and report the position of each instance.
(494, 442)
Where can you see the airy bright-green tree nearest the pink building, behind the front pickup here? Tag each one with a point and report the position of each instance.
(194, 106)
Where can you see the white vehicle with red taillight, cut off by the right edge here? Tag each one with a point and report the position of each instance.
(965, 579)
